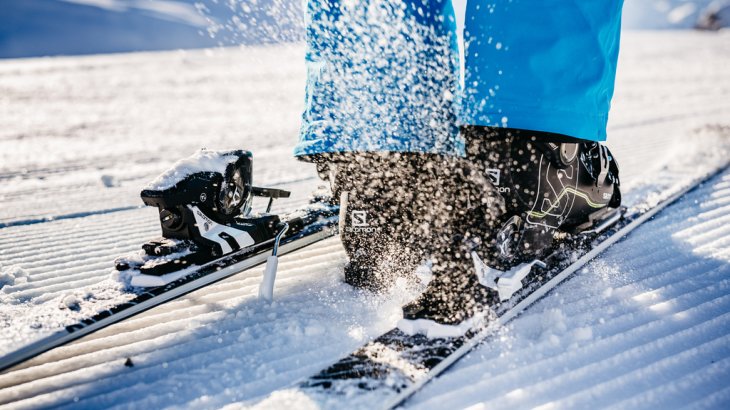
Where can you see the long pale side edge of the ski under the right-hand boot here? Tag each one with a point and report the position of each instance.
(557, 279)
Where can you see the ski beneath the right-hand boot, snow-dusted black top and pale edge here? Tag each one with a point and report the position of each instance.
(389, 369)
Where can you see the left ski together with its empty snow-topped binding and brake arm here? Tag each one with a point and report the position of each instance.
(209, 234)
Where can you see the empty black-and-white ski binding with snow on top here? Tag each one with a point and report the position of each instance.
(204, 205)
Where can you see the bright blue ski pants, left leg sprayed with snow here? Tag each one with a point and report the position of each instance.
(387, 75)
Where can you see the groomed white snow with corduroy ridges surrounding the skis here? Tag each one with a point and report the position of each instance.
(647, 325)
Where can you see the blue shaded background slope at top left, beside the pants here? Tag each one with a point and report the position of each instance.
(34, 28)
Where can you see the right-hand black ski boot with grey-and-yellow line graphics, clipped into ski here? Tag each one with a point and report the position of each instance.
(551, 187)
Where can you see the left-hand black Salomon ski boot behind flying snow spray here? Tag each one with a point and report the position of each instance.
(386, 212)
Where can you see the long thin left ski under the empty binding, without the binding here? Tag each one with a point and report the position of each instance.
(313, 224)
